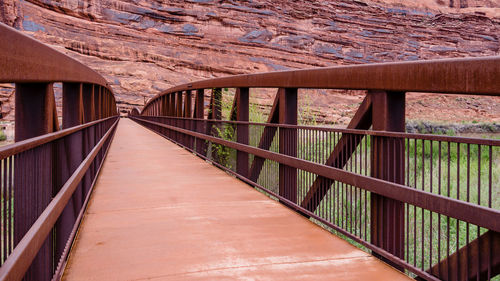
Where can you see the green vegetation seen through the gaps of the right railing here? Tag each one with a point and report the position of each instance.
(456, 170)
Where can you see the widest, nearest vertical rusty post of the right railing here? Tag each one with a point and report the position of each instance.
(387, 163)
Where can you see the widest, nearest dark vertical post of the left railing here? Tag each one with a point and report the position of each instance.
(33, 183)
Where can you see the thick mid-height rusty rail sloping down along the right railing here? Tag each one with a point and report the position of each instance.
(465, 211)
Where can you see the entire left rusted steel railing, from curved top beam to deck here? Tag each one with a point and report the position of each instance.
(47, 175)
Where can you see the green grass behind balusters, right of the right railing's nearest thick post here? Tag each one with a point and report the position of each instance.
(467, 178)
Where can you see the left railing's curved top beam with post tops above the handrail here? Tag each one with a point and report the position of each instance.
(34, 68)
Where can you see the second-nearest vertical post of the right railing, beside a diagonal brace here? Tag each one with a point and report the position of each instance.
(288, 142)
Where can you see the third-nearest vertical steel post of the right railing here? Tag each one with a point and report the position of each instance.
(242, 108)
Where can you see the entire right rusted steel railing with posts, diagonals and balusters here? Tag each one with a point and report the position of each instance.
(426, 204)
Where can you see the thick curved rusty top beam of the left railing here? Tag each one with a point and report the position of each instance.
(26, 60)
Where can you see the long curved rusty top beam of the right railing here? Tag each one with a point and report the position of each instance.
(478, 76)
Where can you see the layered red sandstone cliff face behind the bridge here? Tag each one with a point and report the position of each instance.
(143, 47)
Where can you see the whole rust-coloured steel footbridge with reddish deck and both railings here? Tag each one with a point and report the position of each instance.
(189, 187)
